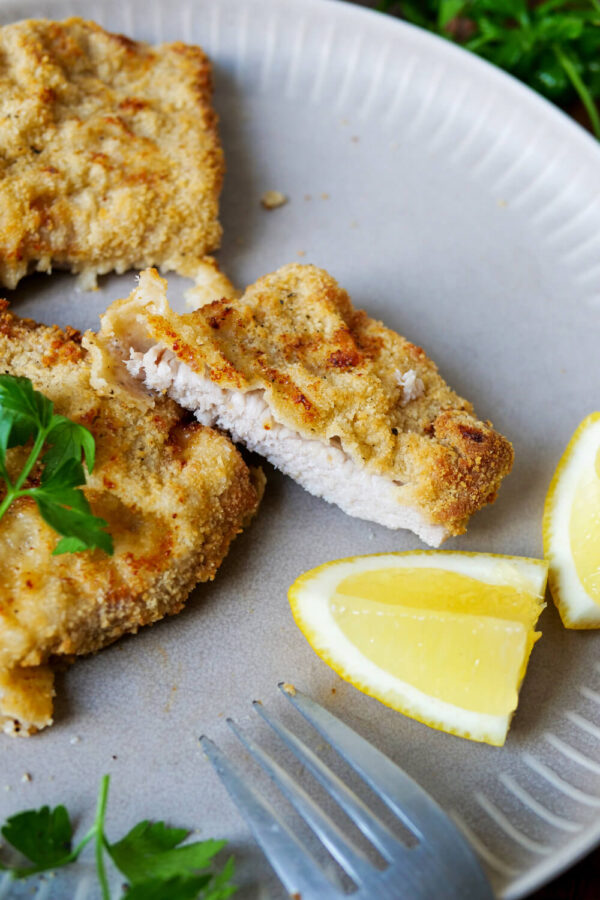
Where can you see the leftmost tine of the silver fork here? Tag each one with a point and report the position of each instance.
(296, 868)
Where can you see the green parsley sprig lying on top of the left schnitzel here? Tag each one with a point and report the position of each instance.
(25, 416)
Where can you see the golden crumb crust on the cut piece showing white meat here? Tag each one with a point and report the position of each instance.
(329, 371)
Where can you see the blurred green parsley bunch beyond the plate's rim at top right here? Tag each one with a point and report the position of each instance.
(552, 46)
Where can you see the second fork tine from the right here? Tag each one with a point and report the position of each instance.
(353, 806)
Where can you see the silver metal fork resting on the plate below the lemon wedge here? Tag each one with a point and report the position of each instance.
(441, 864)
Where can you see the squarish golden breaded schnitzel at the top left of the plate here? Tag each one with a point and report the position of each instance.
(109, 153)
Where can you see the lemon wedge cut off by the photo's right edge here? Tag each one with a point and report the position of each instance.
(572, 528)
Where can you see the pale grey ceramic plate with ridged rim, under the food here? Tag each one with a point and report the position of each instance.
(465, 212)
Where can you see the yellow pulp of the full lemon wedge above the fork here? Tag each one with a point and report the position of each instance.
(449, 635)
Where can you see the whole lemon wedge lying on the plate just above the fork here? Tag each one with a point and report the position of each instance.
(442, 637)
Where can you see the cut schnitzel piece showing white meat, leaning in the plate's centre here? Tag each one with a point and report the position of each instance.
(351, 410)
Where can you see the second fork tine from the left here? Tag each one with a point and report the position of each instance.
(341, 848)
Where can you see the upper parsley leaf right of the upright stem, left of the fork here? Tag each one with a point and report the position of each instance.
(150, 851)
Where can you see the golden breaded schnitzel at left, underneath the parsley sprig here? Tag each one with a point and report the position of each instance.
(174, 494)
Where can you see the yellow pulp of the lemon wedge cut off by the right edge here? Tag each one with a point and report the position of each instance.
(584, 531)
